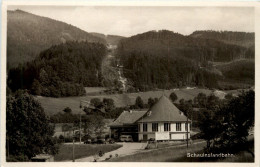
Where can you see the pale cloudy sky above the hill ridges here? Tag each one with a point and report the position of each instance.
(128, 21)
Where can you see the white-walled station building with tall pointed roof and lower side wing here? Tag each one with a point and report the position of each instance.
(163, 121)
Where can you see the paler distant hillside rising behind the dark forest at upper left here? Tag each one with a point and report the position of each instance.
(29, 34)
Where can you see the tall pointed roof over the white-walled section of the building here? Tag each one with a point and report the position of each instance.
(163, 111)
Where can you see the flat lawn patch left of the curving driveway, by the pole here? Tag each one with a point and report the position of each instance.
(83, 150)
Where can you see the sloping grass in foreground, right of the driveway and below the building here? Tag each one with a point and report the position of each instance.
(161, 155)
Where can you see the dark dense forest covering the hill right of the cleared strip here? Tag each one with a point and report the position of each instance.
(165, 59)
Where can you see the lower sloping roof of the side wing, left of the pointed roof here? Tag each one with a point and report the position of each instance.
(128, 117)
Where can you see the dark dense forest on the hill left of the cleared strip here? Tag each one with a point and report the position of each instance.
(62, 70)
